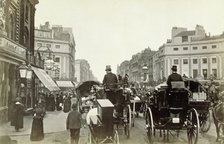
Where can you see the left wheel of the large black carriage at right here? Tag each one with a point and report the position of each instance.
(149, 125)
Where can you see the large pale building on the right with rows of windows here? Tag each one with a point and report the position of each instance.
(193, 52)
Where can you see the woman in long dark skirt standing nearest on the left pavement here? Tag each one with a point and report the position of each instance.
(37, 131)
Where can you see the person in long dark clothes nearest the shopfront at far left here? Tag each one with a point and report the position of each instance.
(18, 113)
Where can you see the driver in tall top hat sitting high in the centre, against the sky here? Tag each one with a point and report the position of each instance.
(110, 82)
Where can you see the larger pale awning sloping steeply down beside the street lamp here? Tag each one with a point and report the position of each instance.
(45, 79)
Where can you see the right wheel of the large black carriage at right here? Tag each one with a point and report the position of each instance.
(192, 127)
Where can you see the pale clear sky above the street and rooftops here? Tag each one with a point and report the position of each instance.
(107, 32)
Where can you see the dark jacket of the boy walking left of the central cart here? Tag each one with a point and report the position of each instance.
(74, 120)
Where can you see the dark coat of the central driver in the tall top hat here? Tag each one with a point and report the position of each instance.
(110, 81)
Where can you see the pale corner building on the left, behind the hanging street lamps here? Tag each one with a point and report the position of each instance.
(57, 46)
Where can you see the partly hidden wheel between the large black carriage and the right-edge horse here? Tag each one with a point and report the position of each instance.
(205, 122)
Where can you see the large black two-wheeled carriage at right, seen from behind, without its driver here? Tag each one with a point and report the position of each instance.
(169, 111)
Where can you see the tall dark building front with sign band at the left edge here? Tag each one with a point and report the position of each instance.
(16, 47)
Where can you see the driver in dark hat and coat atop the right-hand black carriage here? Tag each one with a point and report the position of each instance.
(174, 76)
